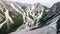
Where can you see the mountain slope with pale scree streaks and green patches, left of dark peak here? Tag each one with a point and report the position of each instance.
(20, 16)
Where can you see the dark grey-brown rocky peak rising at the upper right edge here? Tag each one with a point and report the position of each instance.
(55, 9)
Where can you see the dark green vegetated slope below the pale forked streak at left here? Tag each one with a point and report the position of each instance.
(8, 27)
